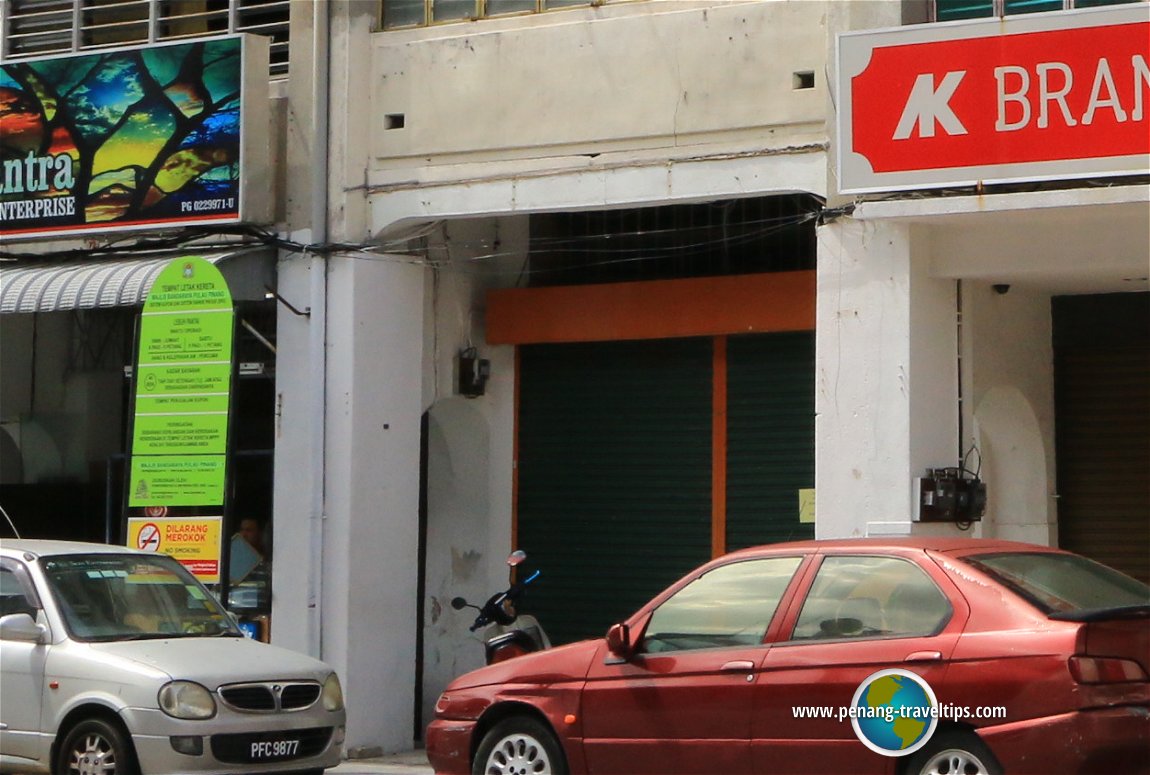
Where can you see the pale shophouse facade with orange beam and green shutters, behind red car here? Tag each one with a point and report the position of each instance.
(582, 280)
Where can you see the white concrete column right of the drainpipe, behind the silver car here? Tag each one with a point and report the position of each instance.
(371, 538)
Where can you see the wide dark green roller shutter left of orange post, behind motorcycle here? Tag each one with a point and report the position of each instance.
(615, 477)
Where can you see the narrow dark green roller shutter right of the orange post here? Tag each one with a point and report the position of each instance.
(770, 436)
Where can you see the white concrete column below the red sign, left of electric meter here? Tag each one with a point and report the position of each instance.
(886, 377)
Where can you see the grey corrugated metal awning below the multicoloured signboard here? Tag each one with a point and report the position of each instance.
(88, 283)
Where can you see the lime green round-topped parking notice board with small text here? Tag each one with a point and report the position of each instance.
(183, 389)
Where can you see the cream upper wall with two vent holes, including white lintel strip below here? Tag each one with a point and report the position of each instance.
(594, 109)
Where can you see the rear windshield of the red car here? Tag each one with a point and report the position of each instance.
(1067, 586)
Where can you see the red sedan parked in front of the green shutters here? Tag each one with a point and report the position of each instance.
(916, 656)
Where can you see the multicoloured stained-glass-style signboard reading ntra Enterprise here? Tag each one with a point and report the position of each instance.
(134, 139)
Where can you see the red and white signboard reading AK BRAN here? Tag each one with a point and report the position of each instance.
(1033, 97)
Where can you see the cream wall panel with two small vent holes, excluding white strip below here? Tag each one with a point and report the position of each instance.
(619, 78)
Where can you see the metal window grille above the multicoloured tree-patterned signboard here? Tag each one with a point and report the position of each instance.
(34, 28)
